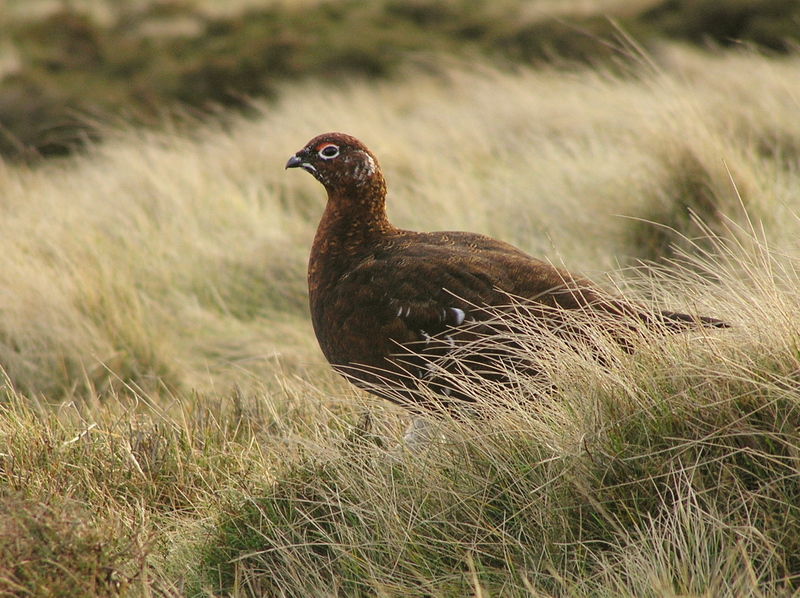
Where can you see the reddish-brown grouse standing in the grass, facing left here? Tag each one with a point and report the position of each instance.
(401, 313)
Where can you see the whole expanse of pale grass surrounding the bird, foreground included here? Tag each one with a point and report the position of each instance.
(168, 426)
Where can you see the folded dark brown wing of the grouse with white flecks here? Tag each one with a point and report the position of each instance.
(410, 306)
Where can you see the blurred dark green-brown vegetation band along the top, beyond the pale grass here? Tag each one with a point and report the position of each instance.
(65, 68)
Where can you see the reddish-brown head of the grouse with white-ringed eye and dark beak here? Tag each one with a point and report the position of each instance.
(337, 161)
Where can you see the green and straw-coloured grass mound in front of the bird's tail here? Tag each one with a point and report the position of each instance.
(655, 474)
